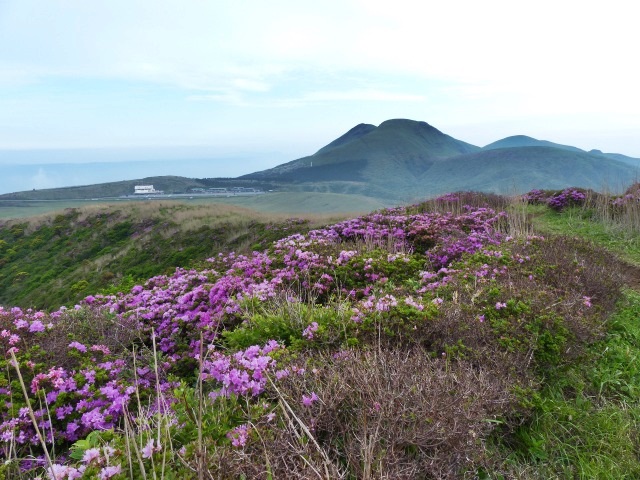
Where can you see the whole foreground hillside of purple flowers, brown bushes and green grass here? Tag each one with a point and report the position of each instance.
(448, 339)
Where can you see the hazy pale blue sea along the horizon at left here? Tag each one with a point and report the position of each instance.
(17, 177)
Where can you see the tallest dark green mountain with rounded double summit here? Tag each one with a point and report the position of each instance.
(379, 161)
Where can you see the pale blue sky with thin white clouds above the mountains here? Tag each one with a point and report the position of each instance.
(264, 82)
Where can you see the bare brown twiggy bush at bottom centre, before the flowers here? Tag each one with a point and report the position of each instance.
(392, 414)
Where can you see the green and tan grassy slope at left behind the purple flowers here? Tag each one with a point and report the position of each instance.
(57, 259)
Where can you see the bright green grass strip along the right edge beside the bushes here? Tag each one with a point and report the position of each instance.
(586, 420)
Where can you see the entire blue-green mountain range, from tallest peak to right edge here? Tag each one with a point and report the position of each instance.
(408, 160)
